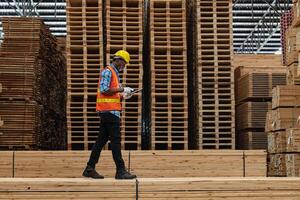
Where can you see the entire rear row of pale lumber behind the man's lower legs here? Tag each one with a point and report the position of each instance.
(146, 164)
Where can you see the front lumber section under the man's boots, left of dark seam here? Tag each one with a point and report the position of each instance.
(66, 188)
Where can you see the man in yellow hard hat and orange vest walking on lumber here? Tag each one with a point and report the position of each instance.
(109, 95)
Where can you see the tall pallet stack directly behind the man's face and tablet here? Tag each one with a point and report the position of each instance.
(127, 34)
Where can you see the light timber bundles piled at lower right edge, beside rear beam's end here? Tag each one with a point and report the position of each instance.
(282, 127)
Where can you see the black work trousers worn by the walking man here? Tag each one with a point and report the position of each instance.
(109, 130)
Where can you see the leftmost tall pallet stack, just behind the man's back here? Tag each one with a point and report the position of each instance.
(85, 56)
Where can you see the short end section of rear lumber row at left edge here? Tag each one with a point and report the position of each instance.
(6, 164)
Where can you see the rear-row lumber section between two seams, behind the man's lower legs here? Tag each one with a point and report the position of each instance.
(61, 163)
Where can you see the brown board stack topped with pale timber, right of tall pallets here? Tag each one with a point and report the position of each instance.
(253, 97)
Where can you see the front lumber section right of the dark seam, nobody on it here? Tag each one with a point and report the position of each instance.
(220, 188)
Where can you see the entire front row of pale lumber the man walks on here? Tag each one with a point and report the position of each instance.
(159, 189)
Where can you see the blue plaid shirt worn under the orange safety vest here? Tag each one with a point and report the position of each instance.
(105, 84)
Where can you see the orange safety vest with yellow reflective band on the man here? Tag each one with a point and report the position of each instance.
(109, 102)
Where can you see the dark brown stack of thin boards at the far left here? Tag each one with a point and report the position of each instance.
(33, 86)
